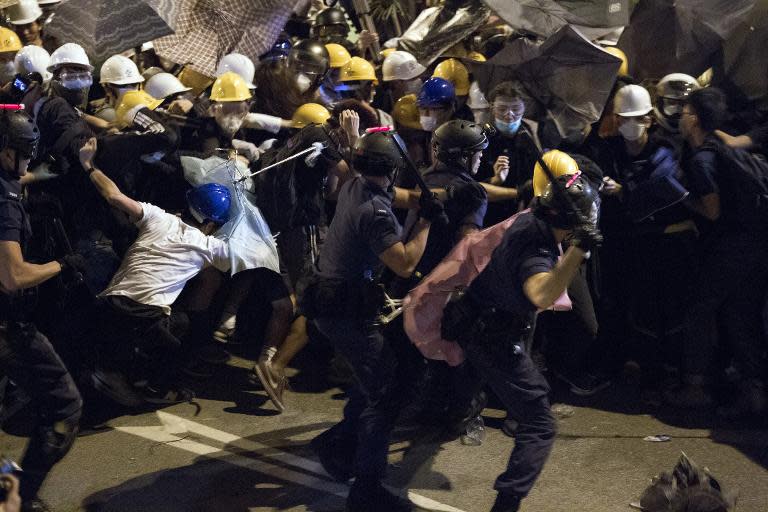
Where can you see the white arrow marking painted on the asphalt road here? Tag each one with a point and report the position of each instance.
(173, 429)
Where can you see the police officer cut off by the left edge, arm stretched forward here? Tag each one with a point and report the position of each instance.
(26, 356)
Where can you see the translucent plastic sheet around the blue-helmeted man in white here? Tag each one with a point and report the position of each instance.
(250, 240)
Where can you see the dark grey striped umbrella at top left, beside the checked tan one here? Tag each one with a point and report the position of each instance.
(108, 27)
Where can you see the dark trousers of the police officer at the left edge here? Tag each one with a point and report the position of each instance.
(29, 360)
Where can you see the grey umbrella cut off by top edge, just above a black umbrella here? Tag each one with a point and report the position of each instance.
(594, 18)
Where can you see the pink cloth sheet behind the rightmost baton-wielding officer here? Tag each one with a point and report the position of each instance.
(423, 306)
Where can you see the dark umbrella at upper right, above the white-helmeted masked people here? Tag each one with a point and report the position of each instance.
(679, 36)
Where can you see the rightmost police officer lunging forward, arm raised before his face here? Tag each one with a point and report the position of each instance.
(496, 311)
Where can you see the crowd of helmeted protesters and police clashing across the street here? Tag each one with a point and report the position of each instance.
(153, 219)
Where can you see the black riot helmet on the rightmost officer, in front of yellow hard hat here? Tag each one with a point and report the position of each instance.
(553, 208)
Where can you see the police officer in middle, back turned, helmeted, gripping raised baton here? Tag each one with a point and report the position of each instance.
(364, 234)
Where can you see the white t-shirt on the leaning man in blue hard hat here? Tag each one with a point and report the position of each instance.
(166, 254)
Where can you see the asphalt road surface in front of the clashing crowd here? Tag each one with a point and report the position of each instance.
(237, 454)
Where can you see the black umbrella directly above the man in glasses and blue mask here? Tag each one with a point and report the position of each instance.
(570, 77)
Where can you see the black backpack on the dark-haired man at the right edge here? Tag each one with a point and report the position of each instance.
(748, 175)
